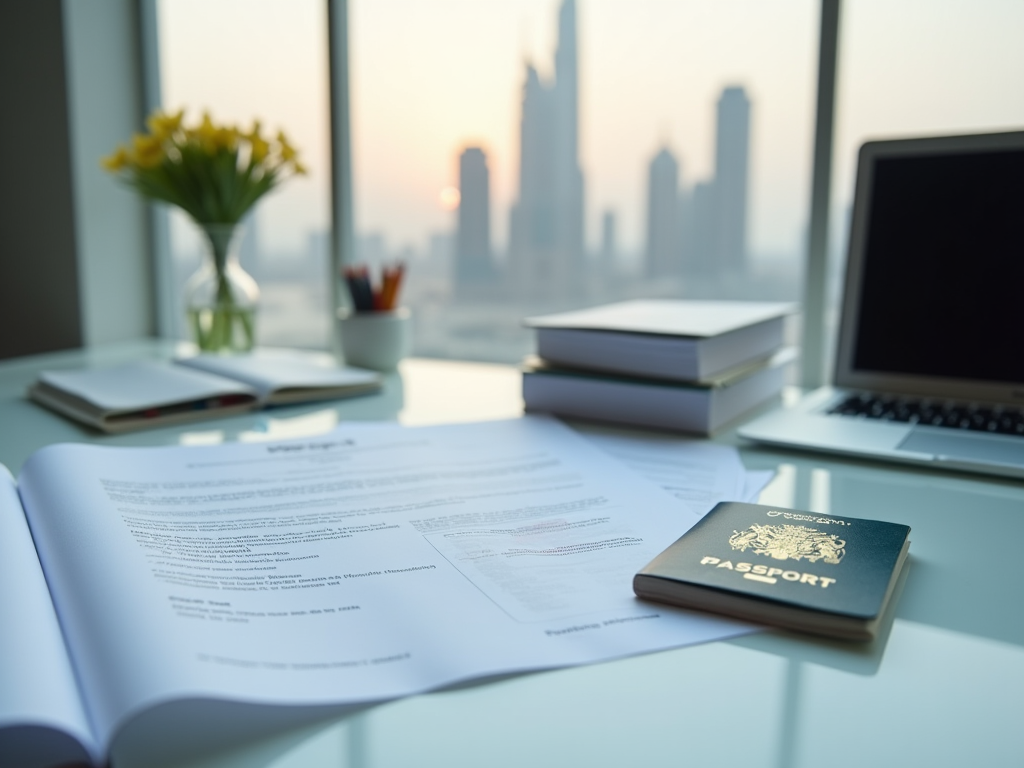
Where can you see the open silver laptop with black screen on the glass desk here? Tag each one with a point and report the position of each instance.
(930, 360)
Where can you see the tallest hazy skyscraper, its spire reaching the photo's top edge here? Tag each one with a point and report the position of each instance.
(546, 250)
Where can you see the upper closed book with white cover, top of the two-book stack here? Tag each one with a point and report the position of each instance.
(681, 340)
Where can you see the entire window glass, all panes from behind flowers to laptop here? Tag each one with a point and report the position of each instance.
(532, 156)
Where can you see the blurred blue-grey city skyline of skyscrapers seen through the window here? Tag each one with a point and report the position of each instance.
(547, 255)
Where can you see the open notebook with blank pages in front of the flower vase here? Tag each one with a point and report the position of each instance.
(144, 395)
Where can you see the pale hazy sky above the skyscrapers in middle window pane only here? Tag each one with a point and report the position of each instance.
(431, 78)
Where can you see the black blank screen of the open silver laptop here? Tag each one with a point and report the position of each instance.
(942, 262)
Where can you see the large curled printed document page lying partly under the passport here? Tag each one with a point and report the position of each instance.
(368, 564)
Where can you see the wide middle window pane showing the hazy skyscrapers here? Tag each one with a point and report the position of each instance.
(532, 156)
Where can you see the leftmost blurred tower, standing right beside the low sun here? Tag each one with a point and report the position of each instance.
(474, 257)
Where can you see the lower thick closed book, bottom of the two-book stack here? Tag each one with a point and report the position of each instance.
(699, 408)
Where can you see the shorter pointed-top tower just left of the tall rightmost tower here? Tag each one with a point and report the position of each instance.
(664, 246)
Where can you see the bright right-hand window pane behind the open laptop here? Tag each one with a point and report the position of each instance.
(918, 69)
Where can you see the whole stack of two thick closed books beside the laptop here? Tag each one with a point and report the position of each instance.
(679, 365)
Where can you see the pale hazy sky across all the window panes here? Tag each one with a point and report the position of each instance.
(431, 77)
